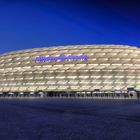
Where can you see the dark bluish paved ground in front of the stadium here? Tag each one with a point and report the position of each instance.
(69, 119)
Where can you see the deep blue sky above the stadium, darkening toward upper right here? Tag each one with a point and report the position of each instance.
(36, 23)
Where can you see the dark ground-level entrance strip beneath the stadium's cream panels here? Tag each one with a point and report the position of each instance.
(75, 94)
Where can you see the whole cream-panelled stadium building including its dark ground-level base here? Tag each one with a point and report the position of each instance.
(79, 71)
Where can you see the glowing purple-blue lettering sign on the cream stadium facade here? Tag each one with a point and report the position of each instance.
(61, 58)
